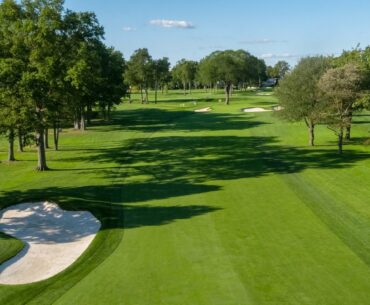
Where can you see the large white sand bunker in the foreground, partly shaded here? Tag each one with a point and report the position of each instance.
(53, 239)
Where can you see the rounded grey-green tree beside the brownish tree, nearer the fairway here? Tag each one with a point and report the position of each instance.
(299, 94)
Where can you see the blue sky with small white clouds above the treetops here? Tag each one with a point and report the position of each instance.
(273, 30)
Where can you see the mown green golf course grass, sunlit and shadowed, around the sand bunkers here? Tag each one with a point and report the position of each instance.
(211, 208)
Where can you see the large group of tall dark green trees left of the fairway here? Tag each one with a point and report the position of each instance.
(54, 68)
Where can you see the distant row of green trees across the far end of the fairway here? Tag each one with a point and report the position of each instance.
(220, 69)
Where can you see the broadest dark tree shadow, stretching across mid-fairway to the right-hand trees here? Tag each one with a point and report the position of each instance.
(199, 159)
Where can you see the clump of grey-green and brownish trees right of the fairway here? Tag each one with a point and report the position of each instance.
(327, 90)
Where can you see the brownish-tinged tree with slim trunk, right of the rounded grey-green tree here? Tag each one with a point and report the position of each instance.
(341, 88)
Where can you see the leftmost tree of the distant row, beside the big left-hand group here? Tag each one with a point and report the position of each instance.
(139, 71)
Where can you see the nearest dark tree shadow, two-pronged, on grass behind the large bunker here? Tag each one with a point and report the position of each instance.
(111, 204)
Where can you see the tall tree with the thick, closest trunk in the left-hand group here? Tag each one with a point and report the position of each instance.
(43, 25)
